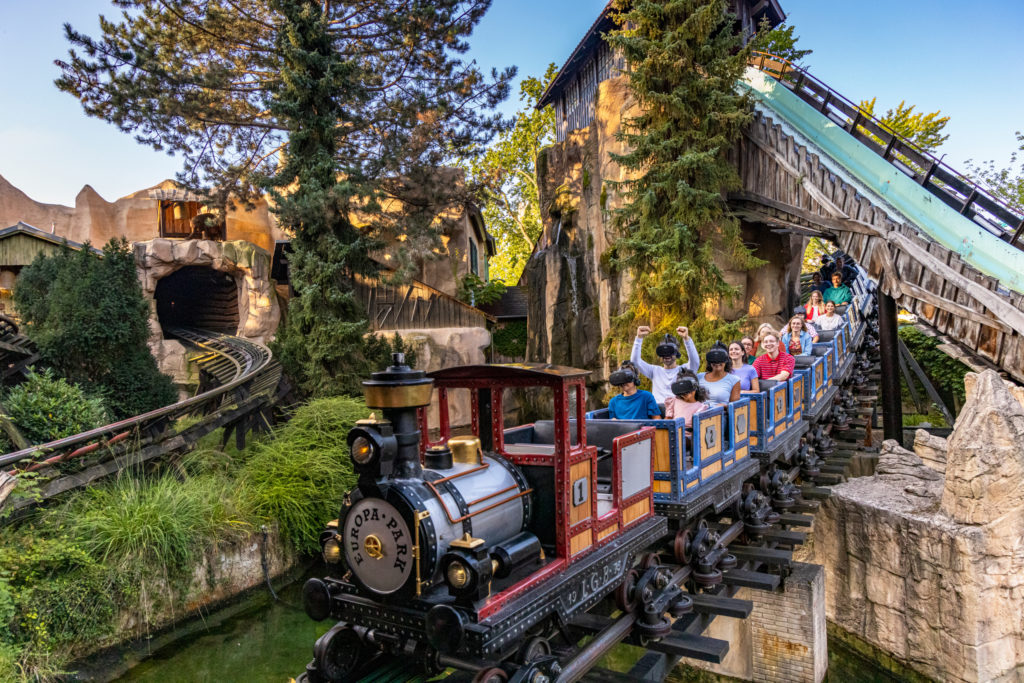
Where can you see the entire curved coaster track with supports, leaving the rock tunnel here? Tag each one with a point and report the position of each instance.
(239, 383)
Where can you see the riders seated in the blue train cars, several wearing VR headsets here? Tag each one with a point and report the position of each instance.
(731, 369)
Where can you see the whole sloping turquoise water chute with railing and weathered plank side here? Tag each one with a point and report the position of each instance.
(941, 246)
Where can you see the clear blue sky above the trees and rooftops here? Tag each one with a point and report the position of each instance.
(958, 58)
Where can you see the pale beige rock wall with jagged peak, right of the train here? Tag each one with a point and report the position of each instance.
(927, 566)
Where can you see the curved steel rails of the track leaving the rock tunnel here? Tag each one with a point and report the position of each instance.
(250, 359)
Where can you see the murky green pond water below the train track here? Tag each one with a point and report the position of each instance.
(274, 644)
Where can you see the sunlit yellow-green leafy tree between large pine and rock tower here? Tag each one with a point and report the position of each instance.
(510, 180)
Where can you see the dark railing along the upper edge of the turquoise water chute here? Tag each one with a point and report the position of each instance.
(952, 188)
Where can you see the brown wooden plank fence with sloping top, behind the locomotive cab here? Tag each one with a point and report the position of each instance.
(415, 306)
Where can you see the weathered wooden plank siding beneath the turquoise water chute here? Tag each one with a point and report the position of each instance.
(774, 166)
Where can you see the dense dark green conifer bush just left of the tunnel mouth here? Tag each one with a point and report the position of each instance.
(90, 320)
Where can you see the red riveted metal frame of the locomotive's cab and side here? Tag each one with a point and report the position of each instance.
(561, 387)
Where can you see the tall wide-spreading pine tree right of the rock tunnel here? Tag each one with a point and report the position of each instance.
(346, 110)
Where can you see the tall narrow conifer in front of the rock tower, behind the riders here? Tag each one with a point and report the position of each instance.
(685, 64)
